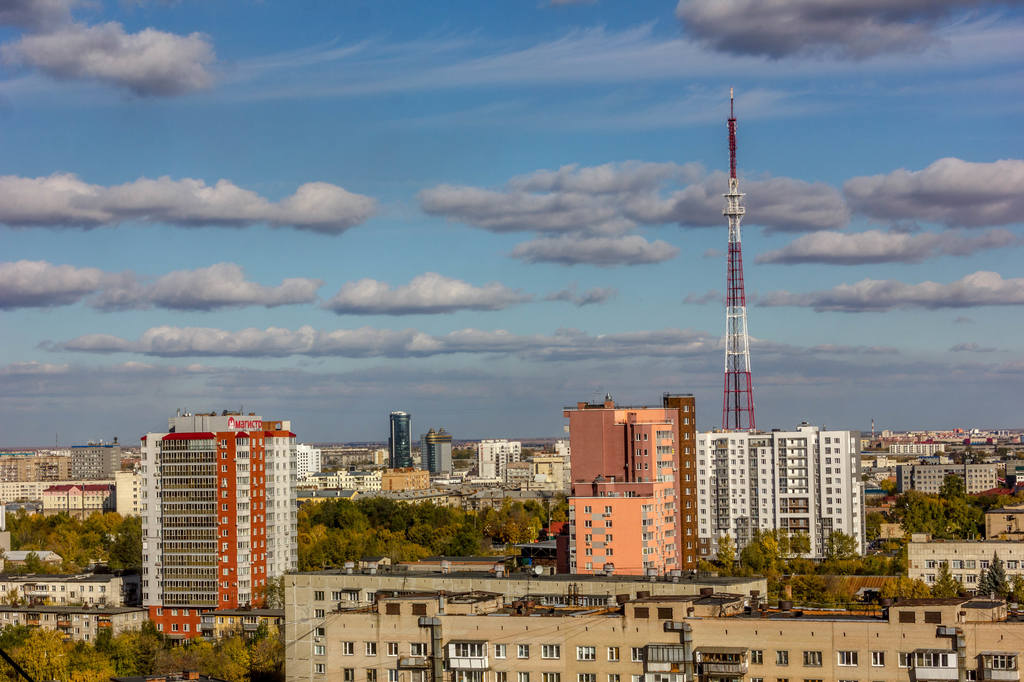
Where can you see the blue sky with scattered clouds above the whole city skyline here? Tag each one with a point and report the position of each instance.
(480, 212)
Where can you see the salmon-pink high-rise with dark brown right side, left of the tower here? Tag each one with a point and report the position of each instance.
(632, 468)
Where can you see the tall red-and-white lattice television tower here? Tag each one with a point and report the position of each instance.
(738, 400)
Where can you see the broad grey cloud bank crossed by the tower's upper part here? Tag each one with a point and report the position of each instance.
(613, 200)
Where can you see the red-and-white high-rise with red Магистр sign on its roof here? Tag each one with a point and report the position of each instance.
(219, 516)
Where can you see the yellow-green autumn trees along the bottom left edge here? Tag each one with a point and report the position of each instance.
(45, 655)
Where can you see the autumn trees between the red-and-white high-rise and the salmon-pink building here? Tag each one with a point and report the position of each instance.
(334, 532)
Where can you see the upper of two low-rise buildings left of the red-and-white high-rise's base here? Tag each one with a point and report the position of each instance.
(117, 589)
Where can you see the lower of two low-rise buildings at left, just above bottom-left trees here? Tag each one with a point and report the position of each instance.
(76, 623)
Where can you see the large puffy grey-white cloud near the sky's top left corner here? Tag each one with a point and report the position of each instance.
(148, 63)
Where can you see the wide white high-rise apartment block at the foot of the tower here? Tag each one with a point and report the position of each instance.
(807, 481)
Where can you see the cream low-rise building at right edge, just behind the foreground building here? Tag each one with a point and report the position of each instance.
(967, 559)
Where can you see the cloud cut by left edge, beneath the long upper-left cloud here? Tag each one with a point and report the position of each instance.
(32, 284)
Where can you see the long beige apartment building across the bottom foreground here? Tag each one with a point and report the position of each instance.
(480, 637)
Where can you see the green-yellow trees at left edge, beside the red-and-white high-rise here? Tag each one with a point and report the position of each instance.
(101, 538)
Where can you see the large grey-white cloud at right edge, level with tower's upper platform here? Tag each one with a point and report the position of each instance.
(950, 191)
